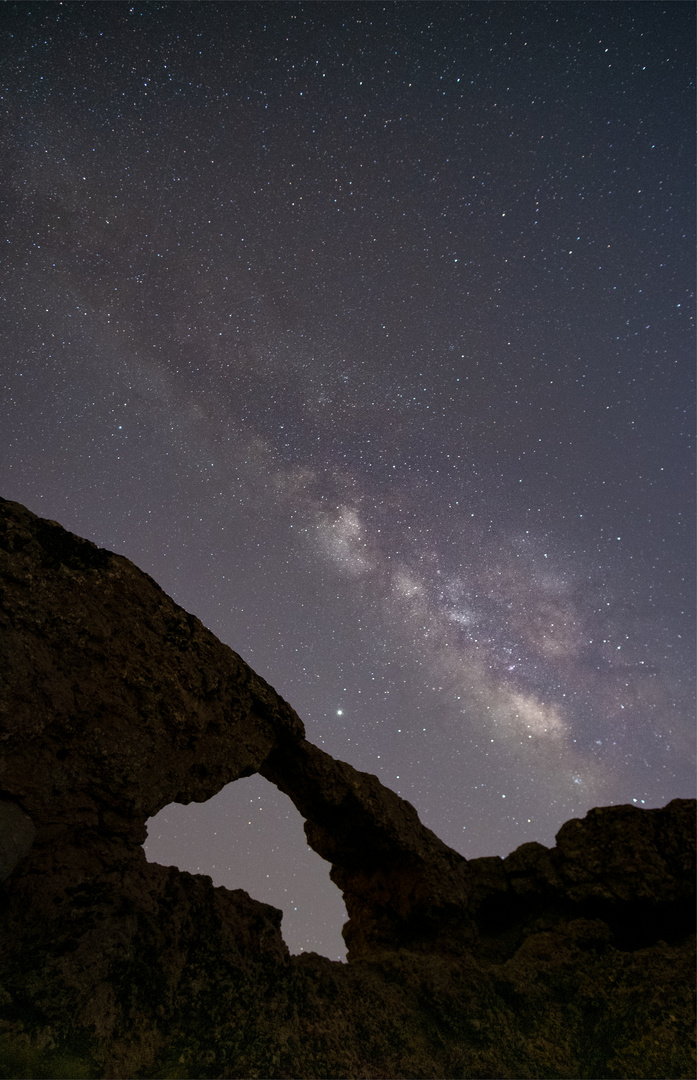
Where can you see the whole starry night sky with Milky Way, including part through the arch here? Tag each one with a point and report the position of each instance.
(367, 331)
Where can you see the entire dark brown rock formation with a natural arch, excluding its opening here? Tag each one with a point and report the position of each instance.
(573, 962)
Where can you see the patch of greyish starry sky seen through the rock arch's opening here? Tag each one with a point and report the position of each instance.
(250, 836)
